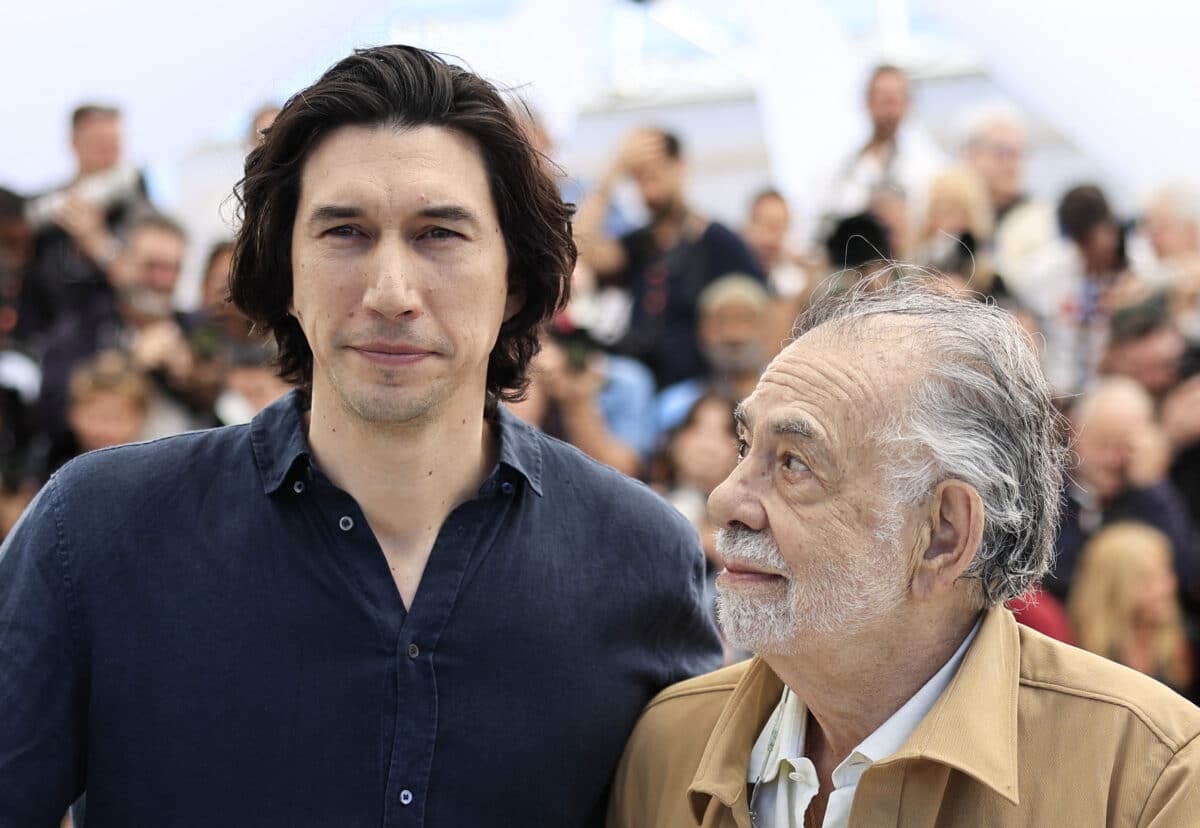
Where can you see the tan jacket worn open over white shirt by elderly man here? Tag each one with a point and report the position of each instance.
(1030, 733)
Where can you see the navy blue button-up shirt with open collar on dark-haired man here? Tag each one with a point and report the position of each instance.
(205, 632)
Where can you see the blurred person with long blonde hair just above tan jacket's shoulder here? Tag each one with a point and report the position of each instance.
(1125, 607)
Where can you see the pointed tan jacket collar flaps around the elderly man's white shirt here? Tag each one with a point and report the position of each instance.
(971, 728)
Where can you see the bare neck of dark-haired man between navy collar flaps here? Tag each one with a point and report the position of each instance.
(406, 478)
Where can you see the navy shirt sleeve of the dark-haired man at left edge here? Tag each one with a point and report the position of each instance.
(41, 681)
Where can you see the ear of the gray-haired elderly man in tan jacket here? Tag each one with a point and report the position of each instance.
(950, 541)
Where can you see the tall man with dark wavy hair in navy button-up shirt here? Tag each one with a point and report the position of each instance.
(385, 602)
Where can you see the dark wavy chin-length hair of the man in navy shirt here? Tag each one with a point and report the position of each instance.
(404, 87)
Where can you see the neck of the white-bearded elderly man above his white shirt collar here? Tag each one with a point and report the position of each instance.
(853, 686)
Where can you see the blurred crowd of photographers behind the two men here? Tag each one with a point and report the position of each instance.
(673, 322)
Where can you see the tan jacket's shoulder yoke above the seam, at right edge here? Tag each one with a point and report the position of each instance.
(1096, 687)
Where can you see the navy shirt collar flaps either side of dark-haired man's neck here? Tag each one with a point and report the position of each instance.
(280, 442)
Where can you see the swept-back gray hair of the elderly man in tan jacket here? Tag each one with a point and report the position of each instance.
(981, 412)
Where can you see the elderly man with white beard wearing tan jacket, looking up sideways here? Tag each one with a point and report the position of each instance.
(899, 481)
